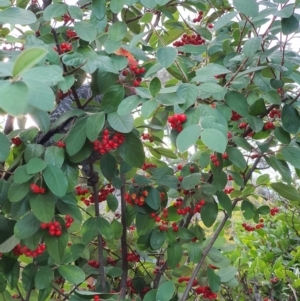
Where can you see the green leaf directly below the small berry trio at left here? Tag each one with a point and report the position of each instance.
(43, 206)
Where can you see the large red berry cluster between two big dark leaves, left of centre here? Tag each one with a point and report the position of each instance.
(108, 142)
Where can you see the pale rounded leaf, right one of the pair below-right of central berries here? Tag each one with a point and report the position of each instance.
(214, 139)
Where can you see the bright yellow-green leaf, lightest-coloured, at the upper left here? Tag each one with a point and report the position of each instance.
(27, 59)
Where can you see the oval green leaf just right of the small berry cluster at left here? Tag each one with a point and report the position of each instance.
(55, 180)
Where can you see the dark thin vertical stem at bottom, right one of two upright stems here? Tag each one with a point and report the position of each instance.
(124, 252)
